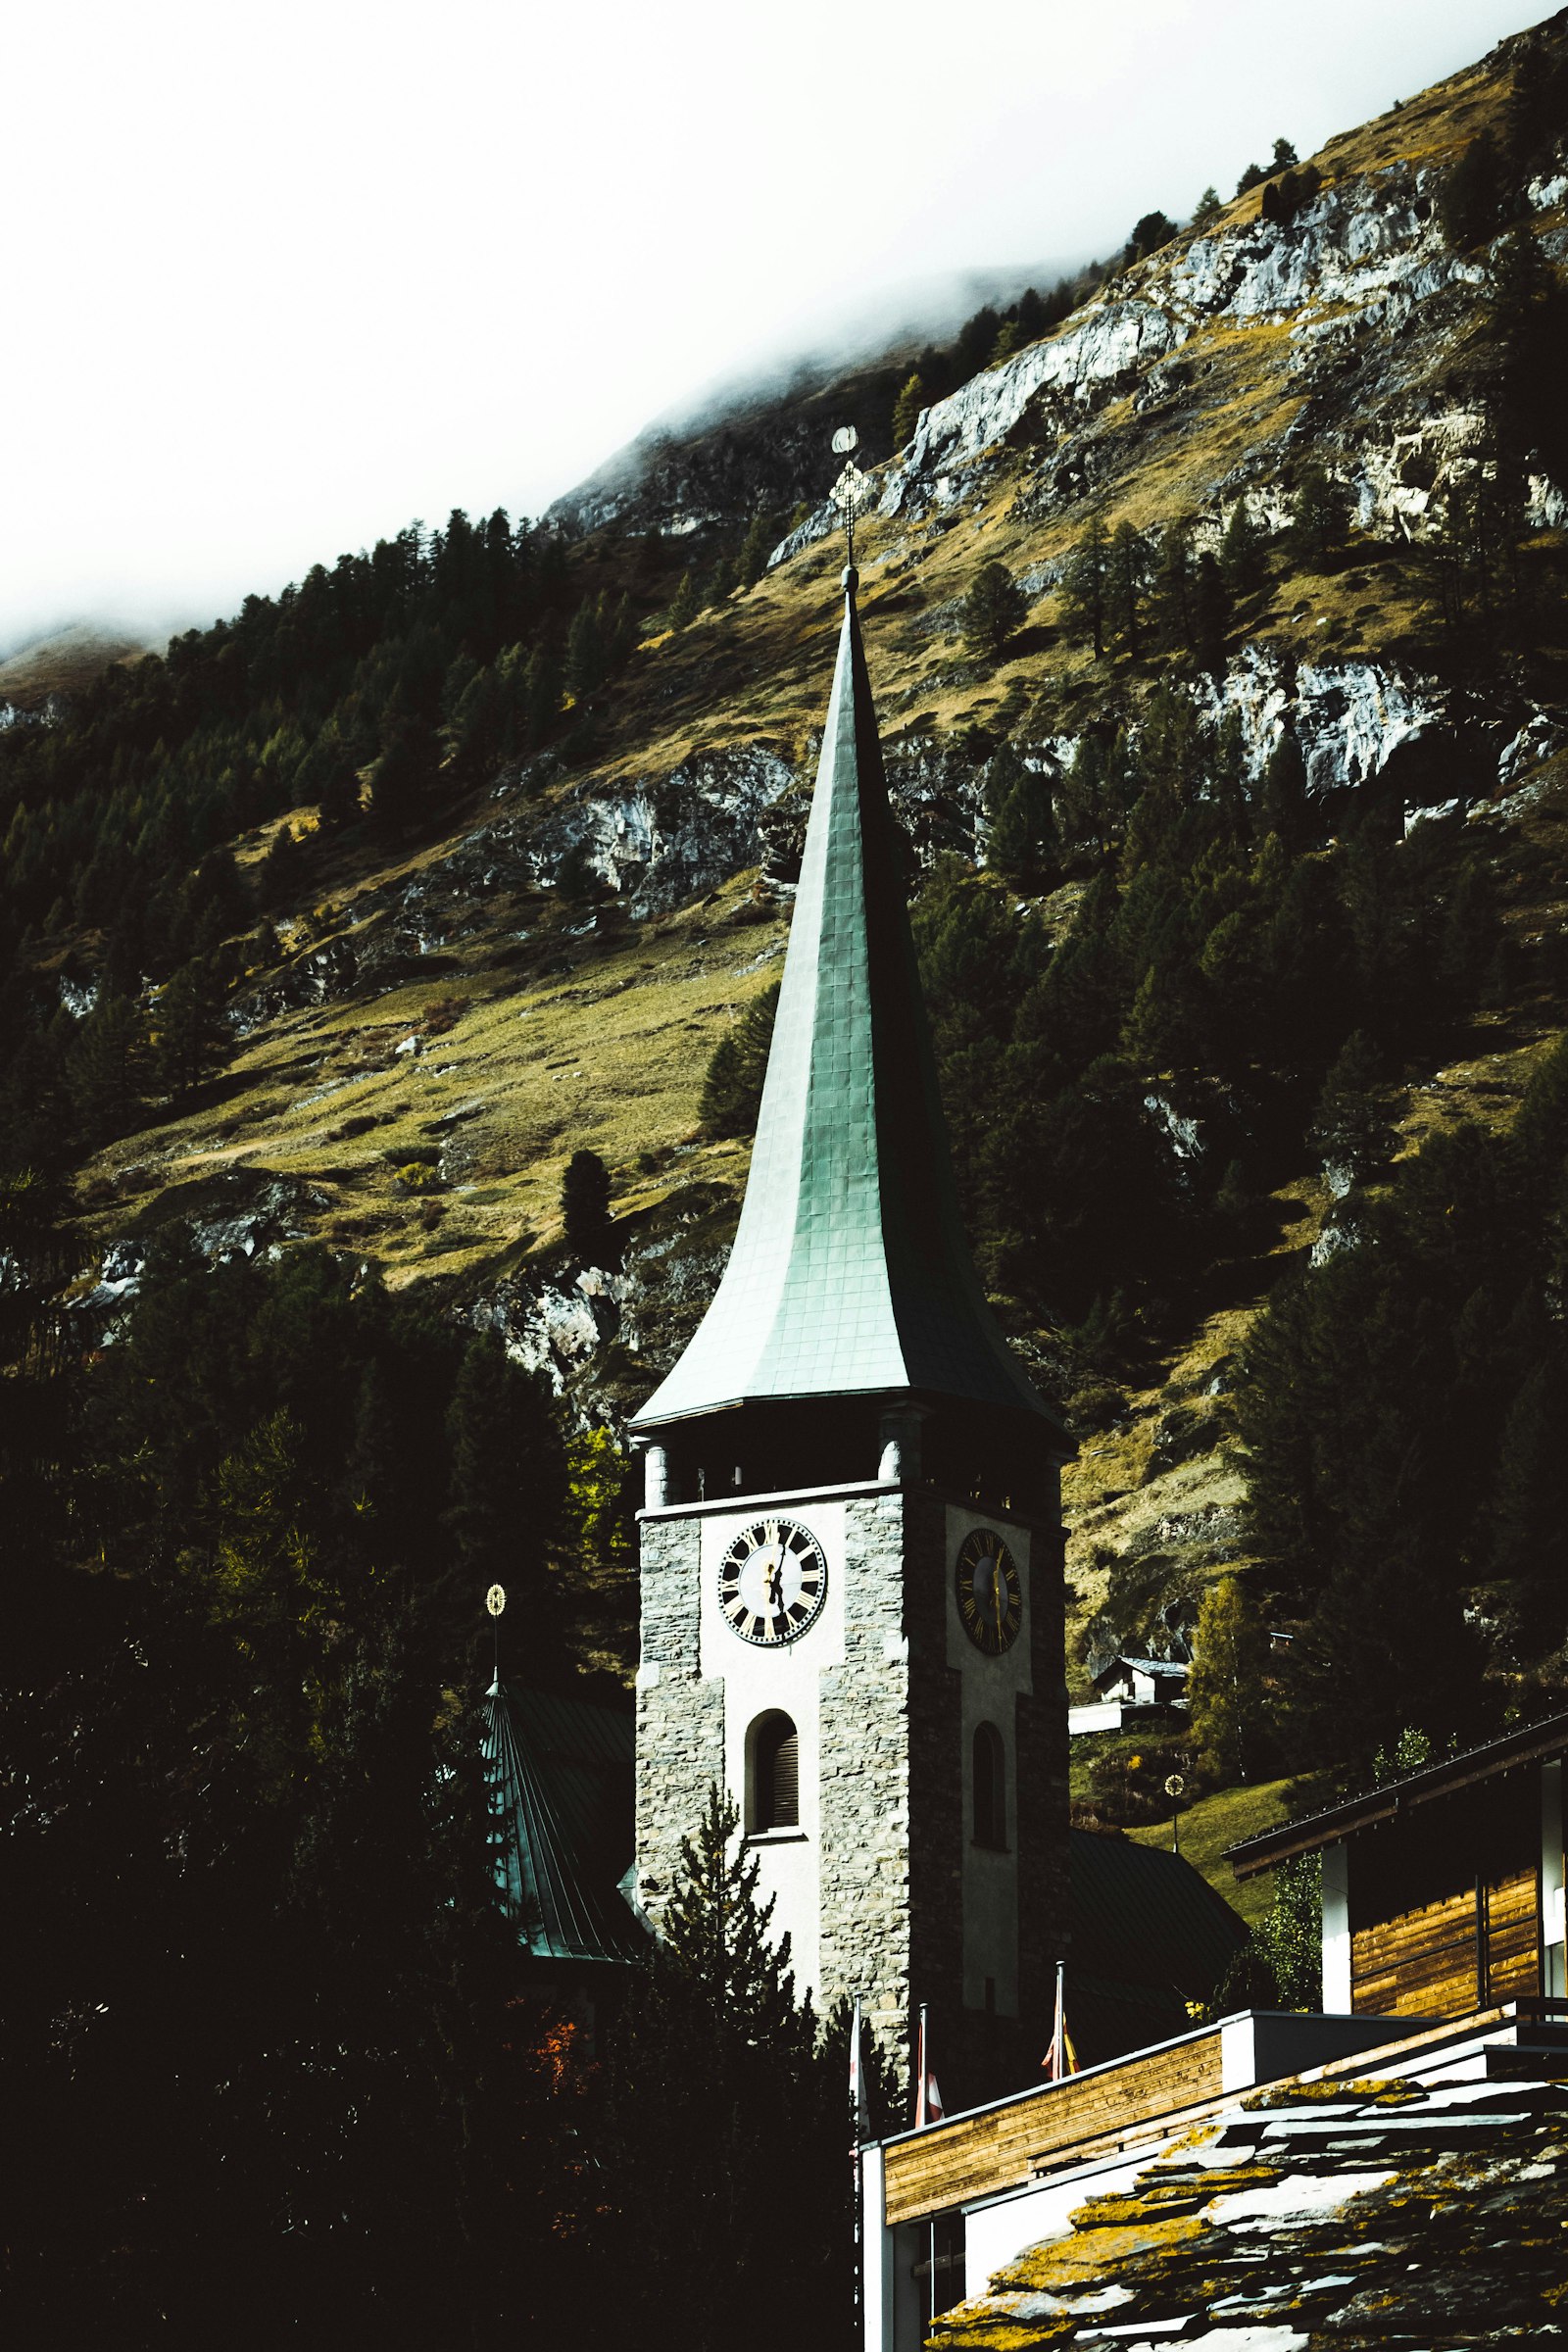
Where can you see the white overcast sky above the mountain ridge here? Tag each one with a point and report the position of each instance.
(281, 279)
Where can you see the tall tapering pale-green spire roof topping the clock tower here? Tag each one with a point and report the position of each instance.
(850, 1271)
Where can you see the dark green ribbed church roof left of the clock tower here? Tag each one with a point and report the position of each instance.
(561, 1775)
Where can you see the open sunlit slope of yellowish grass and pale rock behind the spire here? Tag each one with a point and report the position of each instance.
(556, 970)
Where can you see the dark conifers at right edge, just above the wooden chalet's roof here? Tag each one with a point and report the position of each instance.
(1405, 1417)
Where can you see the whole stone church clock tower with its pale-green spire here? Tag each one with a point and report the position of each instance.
(852, 1596)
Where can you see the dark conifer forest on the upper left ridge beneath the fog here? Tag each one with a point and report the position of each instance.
(375, 693)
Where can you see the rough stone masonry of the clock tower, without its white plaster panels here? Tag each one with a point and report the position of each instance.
(892, 1798)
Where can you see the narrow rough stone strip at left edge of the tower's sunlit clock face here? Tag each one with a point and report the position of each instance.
(681, 1720)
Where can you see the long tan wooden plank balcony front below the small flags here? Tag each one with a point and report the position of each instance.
(1003, 2149)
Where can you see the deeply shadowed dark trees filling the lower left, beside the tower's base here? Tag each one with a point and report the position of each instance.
(267, 2062)
